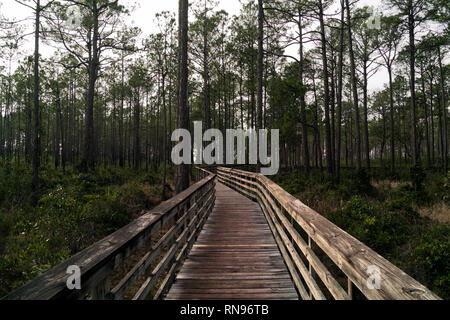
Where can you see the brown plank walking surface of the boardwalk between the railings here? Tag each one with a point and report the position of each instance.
(235, 256)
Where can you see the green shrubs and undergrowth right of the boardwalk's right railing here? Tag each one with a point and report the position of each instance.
(384, 217)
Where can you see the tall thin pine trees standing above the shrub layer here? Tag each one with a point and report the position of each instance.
(110, 95)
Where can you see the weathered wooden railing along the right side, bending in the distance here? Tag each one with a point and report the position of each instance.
(299, 230)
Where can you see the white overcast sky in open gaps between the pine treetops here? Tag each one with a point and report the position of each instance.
(144, 15)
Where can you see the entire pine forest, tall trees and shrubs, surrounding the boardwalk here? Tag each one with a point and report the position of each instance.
(89, 102)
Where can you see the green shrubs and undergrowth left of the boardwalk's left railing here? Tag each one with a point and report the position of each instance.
(74, 211)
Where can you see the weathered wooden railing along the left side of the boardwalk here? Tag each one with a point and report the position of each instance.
(182, 216)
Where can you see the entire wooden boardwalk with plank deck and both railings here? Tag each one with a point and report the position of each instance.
(236, 249)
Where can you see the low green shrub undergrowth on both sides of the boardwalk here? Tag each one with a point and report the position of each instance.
(408, 227)
